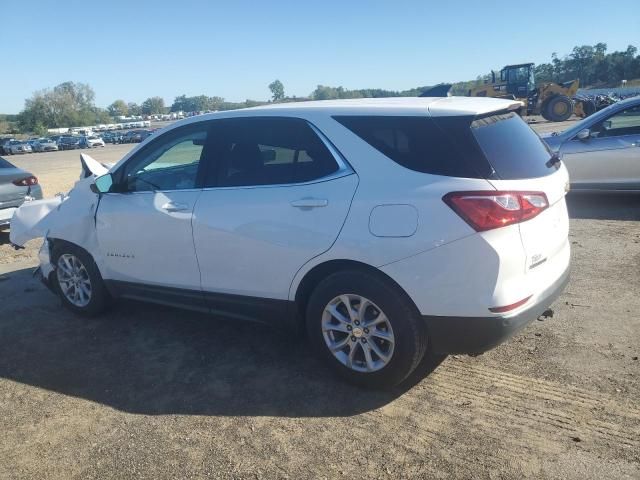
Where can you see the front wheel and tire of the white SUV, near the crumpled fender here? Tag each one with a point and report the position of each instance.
(74, 266)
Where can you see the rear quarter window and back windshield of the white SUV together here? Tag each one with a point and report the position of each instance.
(499, 146)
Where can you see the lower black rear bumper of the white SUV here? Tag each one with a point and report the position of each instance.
(473, 335)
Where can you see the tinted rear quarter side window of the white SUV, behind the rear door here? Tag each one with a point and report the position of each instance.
(442, 146)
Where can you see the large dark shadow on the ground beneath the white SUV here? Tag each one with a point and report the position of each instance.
(154, 360)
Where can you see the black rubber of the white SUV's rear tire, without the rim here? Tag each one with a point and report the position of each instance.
(408, 329)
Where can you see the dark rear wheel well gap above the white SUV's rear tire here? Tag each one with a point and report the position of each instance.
(318, 273)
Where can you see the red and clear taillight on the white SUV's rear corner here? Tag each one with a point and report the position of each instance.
(486, 210)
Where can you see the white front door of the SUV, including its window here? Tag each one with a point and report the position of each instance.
(144, 227)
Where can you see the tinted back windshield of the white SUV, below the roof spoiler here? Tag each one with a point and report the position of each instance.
(511, 147)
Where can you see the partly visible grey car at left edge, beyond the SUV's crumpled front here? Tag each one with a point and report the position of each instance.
(16, 187)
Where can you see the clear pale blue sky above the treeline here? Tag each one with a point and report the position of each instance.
(234, 49)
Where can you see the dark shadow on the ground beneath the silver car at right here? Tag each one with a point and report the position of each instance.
(601, 206)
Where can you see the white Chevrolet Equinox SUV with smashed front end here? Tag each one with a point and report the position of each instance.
(387, 227)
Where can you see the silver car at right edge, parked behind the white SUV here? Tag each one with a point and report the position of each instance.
(602, 152)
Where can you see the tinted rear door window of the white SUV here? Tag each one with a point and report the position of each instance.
(267, 151)
